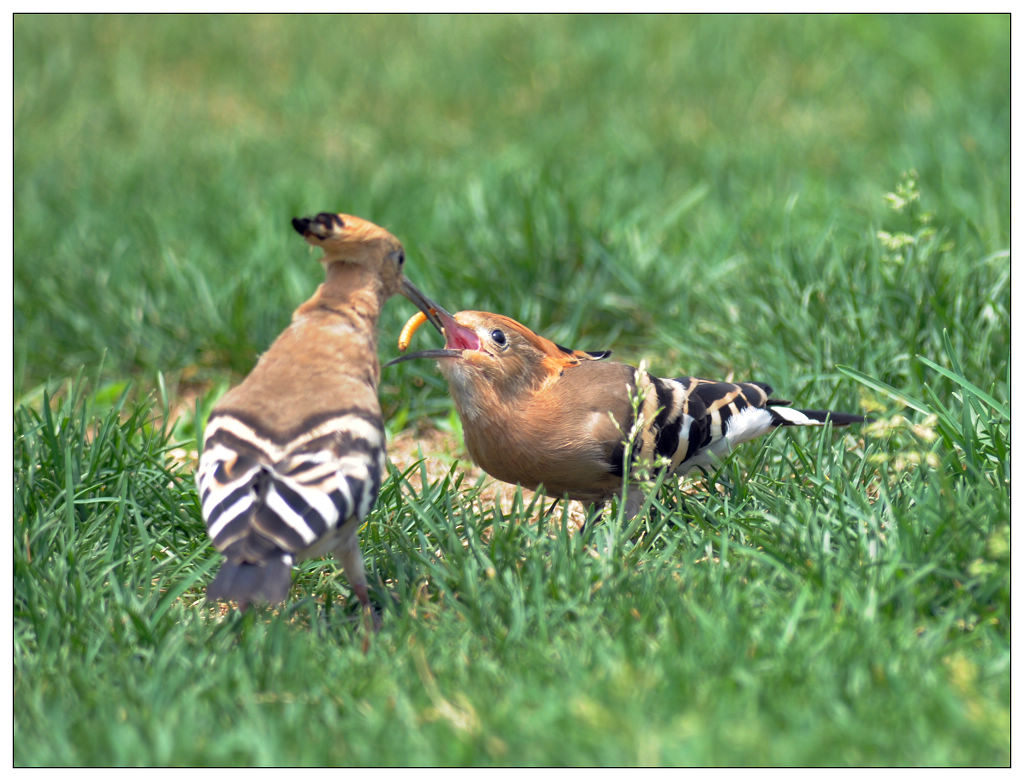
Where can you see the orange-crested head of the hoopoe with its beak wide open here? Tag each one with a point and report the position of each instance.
(487, 353)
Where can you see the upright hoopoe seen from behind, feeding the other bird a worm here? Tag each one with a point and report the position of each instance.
(293, 457)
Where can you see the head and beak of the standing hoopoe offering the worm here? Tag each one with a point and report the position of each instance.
(353, 242)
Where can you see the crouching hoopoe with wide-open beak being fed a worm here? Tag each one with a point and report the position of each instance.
(559, 420)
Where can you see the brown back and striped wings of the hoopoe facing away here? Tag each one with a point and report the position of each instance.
(296, 450)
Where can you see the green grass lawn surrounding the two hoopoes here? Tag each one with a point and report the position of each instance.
(708, 194)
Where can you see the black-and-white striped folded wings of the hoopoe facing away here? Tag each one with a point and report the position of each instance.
(266, 495)
